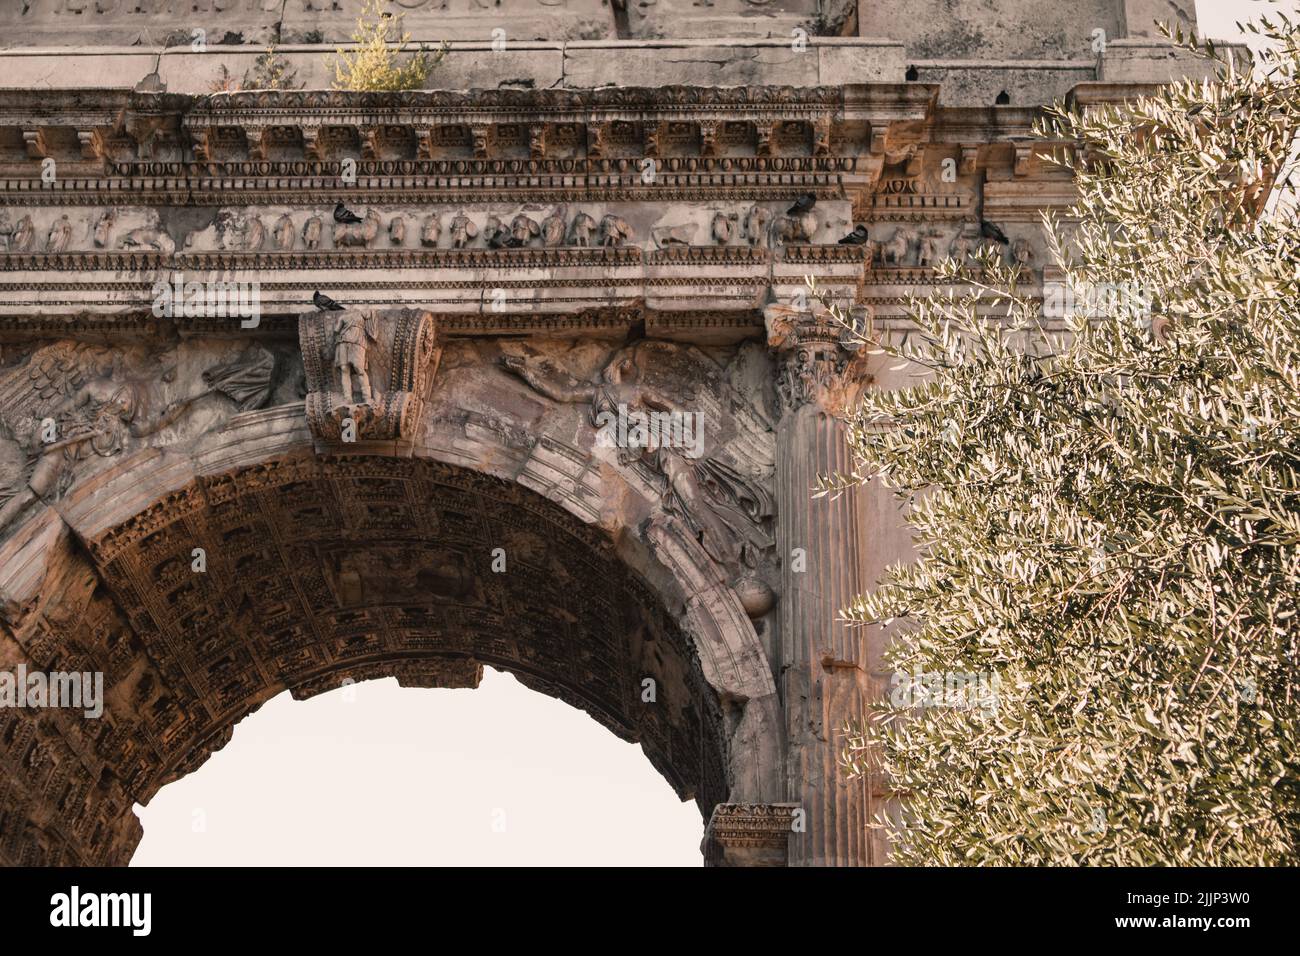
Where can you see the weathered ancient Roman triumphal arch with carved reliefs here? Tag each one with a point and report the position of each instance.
(300, 387)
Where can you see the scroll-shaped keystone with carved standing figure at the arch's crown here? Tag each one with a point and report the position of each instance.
(398, 351)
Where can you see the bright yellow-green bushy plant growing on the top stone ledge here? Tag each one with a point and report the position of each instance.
(376, 64)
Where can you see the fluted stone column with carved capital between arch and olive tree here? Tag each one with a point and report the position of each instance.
(824, 677)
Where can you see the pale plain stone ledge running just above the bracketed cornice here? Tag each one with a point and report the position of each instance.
(827, 62)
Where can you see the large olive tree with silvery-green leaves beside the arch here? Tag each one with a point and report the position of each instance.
(1104, 492)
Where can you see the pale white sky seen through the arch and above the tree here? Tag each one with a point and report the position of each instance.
(410, 777)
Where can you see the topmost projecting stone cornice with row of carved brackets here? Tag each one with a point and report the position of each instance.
(292, 132)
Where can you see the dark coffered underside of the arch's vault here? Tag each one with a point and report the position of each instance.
(306, 573)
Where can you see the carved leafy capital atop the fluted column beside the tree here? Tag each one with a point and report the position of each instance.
(821, 362)
